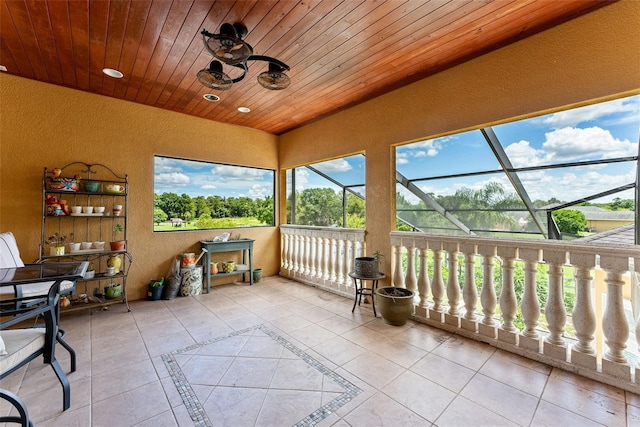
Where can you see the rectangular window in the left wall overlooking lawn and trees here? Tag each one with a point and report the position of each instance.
(192, 195)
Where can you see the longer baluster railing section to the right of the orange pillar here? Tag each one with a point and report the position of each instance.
(512, 271)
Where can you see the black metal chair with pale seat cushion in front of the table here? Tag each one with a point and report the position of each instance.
(24, 344)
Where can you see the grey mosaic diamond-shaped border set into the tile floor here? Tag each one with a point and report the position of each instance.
(199, 416)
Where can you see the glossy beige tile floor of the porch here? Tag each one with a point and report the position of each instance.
(276, 352)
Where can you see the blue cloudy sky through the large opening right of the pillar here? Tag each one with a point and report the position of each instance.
(601, 131)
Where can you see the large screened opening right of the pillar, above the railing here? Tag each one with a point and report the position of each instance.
(511, 179)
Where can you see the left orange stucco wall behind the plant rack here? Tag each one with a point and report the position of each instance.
(46, 125)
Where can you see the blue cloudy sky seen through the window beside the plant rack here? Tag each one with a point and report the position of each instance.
(197, 178)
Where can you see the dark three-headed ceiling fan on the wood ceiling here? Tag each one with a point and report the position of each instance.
(228, 47)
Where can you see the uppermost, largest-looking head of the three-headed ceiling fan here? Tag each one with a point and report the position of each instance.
(228, 46)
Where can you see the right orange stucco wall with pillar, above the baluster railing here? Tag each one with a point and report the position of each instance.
(592, 57)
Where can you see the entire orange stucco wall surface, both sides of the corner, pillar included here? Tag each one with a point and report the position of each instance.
(591, 57)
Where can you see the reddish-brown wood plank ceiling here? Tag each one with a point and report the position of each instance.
(341, 53)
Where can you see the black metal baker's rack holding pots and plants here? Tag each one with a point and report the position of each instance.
(84, 216)
